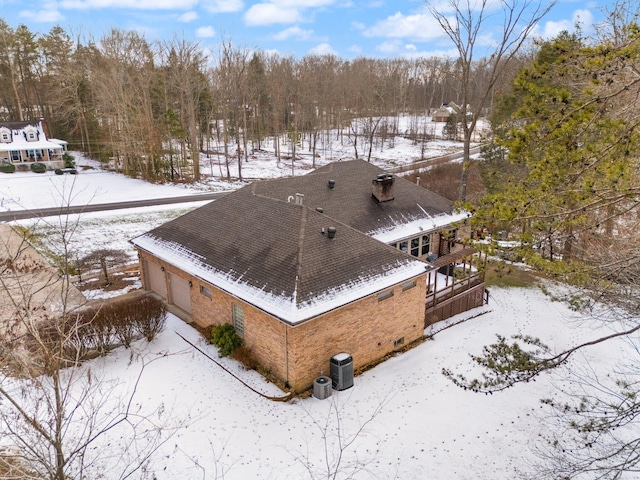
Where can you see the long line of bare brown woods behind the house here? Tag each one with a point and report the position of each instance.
(150, 107)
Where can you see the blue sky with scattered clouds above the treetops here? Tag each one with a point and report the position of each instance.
(346, 28)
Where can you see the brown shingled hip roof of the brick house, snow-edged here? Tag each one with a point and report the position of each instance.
(277, 255)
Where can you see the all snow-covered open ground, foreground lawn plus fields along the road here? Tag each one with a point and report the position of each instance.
(404, 418)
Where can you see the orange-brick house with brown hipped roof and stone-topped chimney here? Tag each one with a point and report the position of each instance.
(308, 267)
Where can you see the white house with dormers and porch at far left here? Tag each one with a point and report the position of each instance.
(26, 142)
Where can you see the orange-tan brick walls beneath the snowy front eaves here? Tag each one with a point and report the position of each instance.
(366, 329)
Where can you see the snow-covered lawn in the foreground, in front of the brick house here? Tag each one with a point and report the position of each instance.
(417, 424)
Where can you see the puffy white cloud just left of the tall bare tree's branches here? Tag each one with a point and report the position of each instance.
(420, 26)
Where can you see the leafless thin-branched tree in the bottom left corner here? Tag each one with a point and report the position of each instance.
(55, 411)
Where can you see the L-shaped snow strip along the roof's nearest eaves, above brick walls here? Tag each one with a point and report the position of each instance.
(280, 306)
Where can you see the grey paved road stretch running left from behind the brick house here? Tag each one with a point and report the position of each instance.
(46, 212)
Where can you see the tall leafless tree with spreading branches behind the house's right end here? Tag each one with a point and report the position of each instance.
(463, 21)
